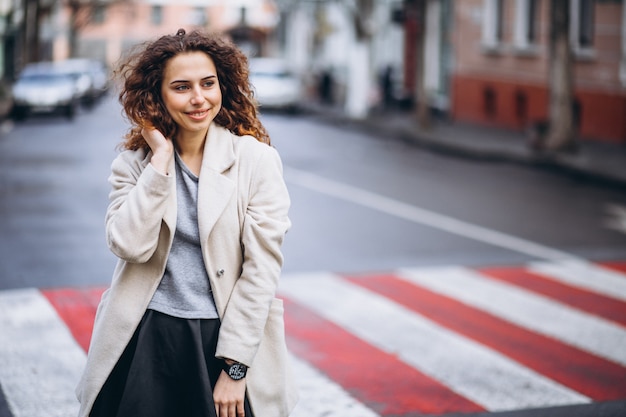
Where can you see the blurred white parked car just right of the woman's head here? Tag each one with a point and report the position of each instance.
(275, 86)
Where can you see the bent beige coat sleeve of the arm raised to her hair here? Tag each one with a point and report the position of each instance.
(137, 203)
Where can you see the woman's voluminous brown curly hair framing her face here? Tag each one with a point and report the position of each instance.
(142, 75)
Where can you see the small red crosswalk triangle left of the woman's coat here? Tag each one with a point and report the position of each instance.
(77, 308)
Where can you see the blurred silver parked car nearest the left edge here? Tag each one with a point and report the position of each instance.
(42, 89)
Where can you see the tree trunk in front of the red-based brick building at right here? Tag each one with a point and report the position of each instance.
(561, 134)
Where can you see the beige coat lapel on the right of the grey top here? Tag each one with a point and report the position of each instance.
(214, 189)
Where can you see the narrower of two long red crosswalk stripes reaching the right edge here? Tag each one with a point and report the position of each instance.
(593, 303)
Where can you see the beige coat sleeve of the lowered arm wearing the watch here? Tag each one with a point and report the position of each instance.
(265, 224)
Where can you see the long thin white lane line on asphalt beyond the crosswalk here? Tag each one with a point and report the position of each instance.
(419, 215)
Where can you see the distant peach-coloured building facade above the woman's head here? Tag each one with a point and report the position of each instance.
(109, 28)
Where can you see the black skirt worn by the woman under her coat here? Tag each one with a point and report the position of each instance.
(168, 369)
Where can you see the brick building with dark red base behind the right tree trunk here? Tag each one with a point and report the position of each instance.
(501, 53)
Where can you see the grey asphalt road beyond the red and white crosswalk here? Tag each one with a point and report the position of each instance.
(360, 204)
